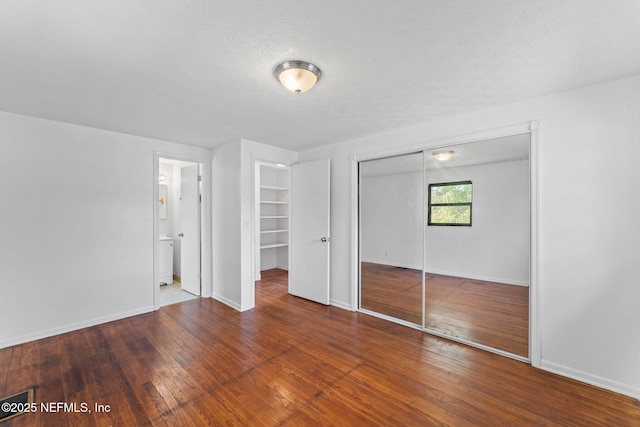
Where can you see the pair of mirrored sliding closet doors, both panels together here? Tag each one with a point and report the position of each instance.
(445, 242)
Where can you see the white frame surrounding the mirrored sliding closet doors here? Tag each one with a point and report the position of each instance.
(532, 128)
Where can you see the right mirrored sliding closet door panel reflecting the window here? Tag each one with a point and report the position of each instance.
(477, 275)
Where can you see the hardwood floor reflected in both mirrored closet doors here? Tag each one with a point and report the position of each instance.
(493, 314)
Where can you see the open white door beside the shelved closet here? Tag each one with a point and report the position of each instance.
(309, 234)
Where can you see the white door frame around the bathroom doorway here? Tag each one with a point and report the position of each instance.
(206, 239)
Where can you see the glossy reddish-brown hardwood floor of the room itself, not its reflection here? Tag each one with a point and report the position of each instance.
(289, 362)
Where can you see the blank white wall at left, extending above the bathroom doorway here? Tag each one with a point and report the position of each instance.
(77, 247)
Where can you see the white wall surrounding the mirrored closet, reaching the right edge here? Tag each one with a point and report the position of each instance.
(589, 164)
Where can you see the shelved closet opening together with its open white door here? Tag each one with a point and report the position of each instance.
(292, 210)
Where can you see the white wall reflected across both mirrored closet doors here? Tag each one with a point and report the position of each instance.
(495, 248)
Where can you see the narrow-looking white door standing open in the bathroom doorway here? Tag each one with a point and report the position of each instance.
(190, 230)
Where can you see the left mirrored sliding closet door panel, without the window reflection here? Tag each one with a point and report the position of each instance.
(391, 239)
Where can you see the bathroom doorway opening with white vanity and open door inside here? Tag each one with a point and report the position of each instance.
(180, 230)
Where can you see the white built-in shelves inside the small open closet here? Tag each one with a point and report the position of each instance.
(273, 207)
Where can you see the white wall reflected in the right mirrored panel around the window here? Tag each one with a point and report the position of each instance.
(496, 246)
